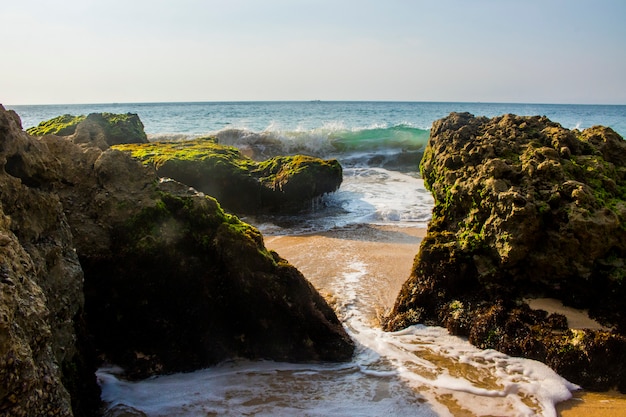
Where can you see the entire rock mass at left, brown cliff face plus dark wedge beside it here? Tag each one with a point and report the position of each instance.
(98, 256)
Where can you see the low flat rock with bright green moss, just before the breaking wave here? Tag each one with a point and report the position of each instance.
(240, 184)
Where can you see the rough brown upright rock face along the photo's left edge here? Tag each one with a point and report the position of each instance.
(45, 365)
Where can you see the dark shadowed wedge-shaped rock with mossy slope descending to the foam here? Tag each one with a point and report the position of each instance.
(190, 285)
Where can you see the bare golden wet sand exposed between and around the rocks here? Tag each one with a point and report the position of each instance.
(390, 252)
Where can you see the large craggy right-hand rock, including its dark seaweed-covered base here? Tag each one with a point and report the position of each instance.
(524, 207)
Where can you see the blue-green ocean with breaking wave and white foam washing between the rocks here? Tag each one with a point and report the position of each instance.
(420, 371)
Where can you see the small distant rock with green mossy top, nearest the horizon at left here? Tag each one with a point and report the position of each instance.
(113, 128)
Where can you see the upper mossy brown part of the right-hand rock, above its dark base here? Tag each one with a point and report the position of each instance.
(532, 207)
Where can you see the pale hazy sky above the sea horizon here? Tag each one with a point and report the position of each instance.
(539, 51)
